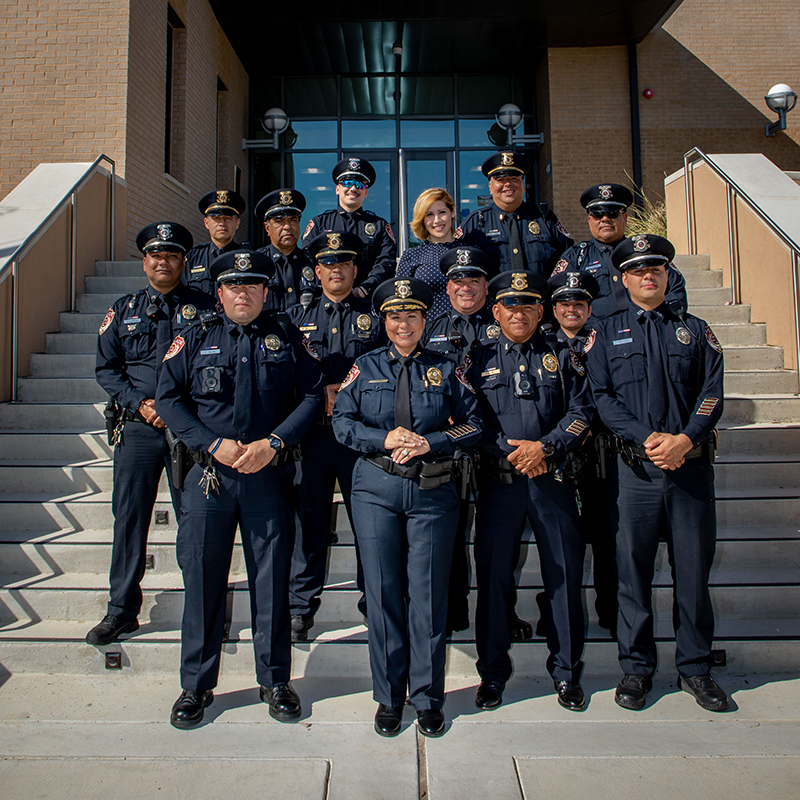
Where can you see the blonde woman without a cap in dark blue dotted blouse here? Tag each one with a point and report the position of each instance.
(434, 223)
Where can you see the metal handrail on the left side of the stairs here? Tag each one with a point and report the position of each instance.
(11, 267)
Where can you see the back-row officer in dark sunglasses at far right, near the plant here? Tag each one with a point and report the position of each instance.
(607, 208)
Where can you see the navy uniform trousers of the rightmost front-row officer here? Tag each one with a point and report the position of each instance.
(678, 505)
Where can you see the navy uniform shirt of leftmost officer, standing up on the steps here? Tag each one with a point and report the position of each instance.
(128, 358)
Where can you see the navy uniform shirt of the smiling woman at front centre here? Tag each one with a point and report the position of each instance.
(364, 410)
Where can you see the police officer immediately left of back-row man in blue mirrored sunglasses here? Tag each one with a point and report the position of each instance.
(294, 280)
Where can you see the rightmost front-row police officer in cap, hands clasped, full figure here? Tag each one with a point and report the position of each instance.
(657, 381)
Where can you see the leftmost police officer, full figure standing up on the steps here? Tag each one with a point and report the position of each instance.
(133, 340)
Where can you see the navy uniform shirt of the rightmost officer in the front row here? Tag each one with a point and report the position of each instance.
(618, 373)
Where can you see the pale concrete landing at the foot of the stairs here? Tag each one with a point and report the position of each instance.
(109, 736)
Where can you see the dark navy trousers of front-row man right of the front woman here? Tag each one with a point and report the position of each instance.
(551, 508)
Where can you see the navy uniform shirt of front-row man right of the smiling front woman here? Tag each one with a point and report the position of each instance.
(559, 407)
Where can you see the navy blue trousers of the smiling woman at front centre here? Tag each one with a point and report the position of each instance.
(406, 537)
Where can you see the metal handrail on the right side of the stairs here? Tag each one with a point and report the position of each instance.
(732, 190)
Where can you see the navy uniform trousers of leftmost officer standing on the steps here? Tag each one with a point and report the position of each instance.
(138, 463)
